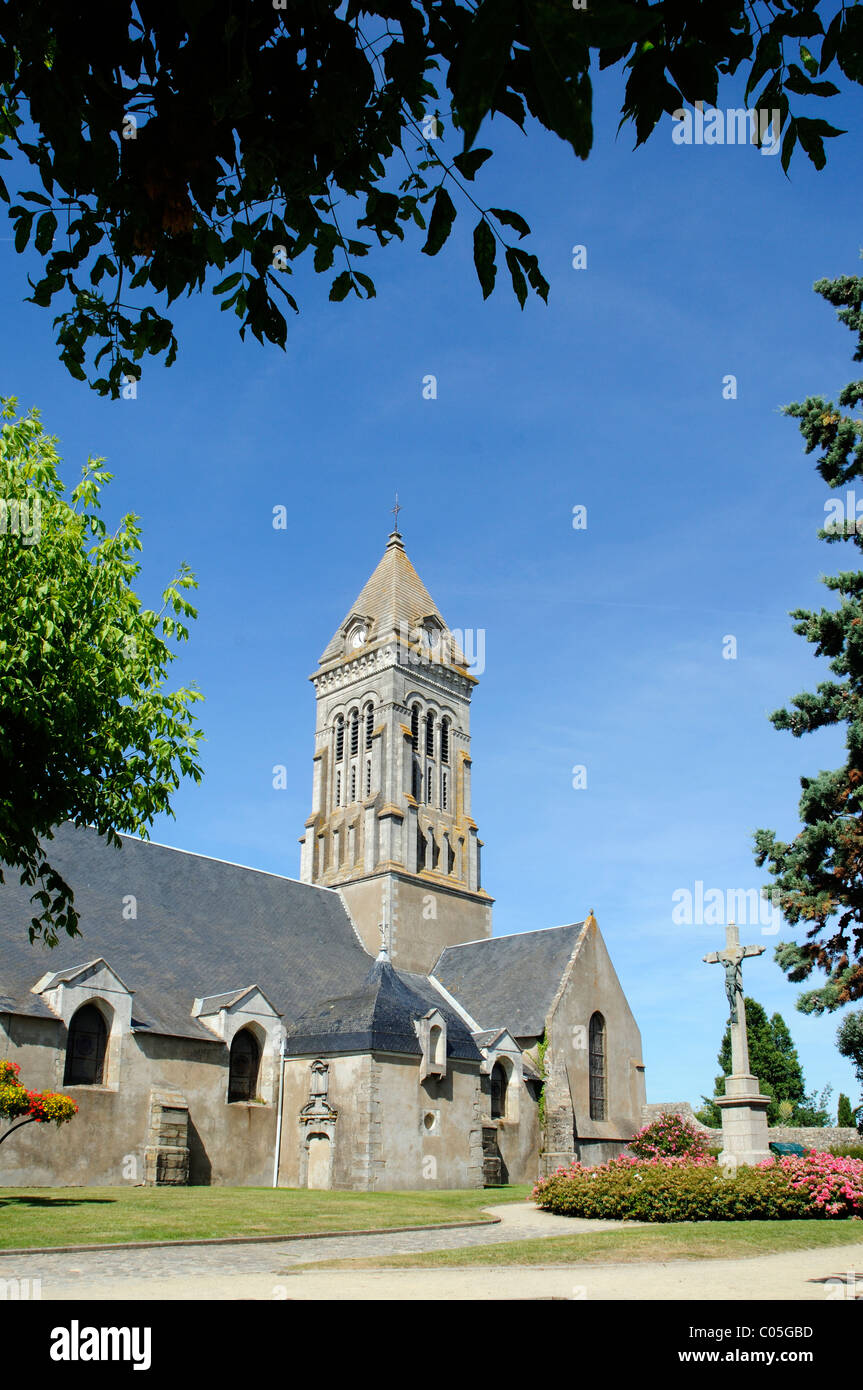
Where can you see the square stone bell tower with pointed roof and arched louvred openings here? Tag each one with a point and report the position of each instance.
(391, 818)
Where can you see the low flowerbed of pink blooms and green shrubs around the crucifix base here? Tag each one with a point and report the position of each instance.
(676, 1189)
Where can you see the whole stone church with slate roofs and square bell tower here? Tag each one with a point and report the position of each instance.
(359, 1028)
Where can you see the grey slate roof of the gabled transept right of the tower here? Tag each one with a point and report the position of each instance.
(509, 982)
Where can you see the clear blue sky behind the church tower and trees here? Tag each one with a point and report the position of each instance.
(605, 646)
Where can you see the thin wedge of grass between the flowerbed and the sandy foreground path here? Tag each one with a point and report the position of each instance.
(701, 1241)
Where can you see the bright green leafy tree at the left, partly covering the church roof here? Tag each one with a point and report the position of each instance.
(88, 730)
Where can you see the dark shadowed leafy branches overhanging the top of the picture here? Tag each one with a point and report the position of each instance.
(173, 138)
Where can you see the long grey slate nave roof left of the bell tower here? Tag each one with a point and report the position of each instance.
(205, 928)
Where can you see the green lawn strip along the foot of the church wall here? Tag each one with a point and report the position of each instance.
(104, 1216)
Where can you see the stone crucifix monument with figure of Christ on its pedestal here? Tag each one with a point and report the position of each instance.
(743, 1106)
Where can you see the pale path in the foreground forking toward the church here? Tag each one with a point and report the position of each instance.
(268, 1271)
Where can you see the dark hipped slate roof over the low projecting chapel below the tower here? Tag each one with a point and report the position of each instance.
(379, 1017)
